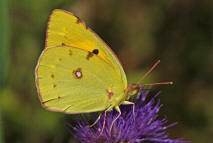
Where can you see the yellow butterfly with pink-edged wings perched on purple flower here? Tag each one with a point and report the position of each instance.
(77, 72)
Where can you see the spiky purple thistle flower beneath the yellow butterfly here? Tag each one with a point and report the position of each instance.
(146, 128)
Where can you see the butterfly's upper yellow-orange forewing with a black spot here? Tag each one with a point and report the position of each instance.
(66, 29)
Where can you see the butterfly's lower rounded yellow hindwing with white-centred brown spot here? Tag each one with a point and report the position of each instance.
(70, 82)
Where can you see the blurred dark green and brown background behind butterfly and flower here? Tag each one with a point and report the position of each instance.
(179, 32)
